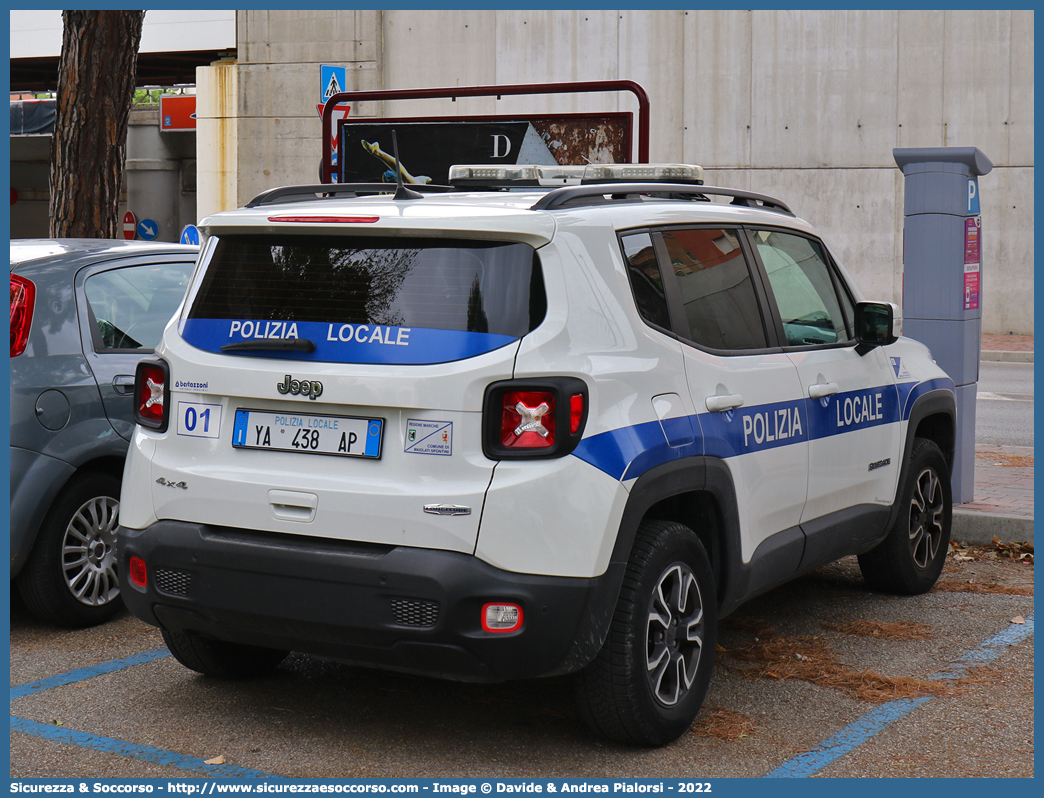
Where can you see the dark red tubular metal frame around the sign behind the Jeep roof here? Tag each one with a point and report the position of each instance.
(490, 91)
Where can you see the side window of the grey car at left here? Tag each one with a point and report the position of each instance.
(131, 307)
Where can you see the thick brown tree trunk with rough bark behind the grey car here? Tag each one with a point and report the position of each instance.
(97, 84)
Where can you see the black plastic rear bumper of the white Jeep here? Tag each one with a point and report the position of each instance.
(395, 607)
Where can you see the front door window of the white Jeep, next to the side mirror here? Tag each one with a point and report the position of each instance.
(804, 292)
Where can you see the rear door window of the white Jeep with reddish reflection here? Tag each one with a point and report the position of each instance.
(717, 291)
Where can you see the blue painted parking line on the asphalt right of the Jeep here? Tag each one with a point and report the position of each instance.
(882, 718)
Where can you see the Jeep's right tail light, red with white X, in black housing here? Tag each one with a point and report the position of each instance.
(534, 418)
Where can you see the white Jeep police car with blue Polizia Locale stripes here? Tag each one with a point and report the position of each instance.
(492, 434)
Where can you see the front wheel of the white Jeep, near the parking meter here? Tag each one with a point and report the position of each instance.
(910, 560)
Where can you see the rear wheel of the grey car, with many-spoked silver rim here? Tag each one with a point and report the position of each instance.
(70, 577)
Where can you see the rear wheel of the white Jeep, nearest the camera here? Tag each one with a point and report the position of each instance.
(648, 683)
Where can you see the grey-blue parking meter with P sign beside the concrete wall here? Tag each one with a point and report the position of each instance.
(943, 277)
